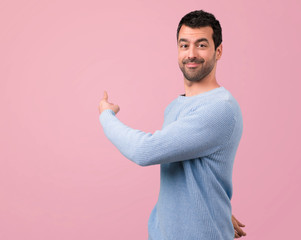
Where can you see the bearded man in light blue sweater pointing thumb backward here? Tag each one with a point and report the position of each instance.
(196, 146)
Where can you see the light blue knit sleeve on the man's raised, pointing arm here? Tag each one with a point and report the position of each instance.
(198, 134)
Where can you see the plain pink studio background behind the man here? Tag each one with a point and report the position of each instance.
(60, 178)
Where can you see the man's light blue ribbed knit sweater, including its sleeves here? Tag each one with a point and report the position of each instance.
(196, 149)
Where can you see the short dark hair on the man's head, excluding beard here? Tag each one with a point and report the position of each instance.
(200, 18)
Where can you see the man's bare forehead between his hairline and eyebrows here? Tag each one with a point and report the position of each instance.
(192, 34)
